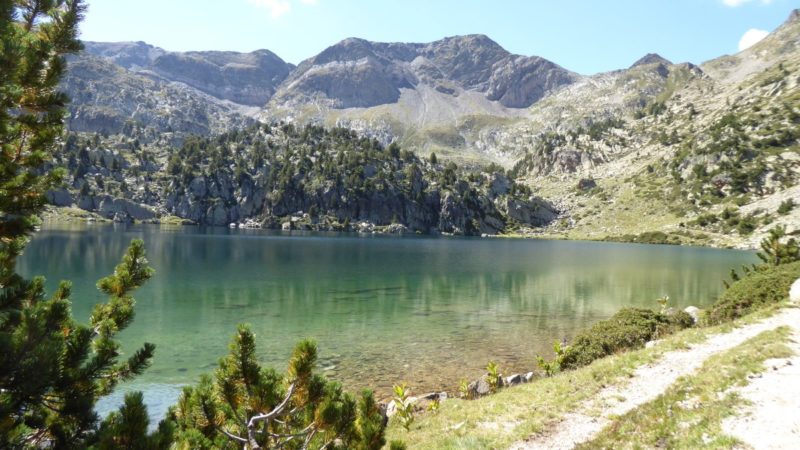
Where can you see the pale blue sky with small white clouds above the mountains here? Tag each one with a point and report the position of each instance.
(586, 36)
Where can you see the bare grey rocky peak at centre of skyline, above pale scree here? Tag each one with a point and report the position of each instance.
(359, 73)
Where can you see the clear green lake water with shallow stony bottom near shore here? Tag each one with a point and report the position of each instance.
(427, 311)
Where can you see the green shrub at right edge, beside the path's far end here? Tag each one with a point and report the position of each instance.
(765, 286)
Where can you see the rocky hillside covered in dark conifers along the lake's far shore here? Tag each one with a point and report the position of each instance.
(280, 176)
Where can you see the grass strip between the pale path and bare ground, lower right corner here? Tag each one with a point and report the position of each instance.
(689, 414)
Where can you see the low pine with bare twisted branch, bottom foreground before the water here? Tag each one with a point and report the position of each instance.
(247, 406)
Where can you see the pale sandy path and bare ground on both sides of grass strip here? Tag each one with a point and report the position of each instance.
(649, 381)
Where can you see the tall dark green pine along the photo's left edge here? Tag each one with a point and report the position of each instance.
(52, 369)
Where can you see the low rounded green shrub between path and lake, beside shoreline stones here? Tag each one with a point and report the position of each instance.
(629, 328)
